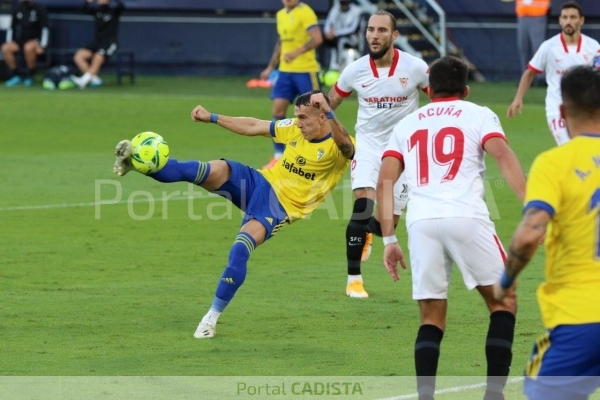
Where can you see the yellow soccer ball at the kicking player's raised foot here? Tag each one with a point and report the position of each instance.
(150, 152)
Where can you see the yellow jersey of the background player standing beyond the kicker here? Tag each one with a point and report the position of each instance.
(292, 27)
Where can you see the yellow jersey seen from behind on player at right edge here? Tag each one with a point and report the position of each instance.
(565, 181)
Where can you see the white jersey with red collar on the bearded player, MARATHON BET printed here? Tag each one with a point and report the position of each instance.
(385, 95)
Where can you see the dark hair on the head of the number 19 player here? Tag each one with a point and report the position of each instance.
(448, 77)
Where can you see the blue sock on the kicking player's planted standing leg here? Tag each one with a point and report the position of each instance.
(234, 275)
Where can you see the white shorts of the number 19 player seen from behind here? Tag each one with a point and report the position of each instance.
(472, 244)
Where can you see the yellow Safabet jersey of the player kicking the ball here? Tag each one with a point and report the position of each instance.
(307, 171)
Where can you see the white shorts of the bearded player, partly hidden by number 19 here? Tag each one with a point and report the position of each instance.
(364, 172)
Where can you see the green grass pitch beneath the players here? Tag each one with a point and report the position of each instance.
(88, 290)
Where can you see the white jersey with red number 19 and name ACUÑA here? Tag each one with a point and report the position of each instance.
(441, 148)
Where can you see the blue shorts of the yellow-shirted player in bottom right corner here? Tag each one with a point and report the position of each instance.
(565, 363)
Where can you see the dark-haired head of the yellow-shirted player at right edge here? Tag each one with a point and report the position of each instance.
(580, 89)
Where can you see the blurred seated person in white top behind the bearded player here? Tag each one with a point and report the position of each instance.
(342, 32)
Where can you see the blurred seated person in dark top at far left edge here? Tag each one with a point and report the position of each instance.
(28, 33)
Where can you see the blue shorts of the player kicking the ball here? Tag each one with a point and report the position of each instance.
(253, 194)
